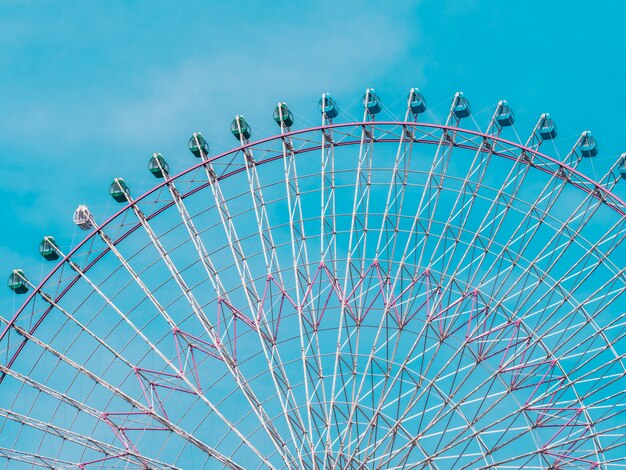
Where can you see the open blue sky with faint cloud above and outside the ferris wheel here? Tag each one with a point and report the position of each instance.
(89, 90)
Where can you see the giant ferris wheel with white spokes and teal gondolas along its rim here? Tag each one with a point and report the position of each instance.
(379, 292)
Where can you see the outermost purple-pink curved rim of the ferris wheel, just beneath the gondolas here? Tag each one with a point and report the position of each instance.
(246, 145)
